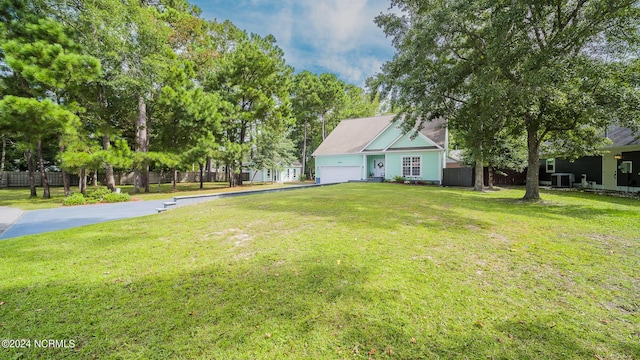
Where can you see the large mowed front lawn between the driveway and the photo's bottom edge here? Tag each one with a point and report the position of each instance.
(351, 271)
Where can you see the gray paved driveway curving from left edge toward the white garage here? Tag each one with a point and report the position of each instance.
(40, 221)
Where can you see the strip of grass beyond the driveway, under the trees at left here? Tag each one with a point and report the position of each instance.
(19, 197)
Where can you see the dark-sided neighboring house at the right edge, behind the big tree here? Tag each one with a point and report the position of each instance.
(617, 169)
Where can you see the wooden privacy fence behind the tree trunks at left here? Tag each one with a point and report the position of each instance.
(21, 179)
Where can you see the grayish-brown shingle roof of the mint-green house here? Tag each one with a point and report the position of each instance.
(352, 135)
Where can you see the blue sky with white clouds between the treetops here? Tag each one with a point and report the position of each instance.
(335, 36)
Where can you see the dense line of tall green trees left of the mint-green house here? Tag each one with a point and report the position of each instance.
(98, 85)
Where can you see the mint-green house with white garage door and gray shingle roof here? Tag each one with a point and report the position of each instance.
(377, 148)
